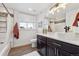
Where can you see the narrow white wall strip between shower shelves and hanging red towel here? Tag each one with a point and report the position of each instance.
(9, 28)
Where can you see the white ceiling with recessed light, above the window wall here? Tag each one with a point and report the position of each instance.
(23, 7)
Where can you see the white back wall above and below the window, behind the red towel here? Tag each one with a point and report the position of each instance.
(25, 35)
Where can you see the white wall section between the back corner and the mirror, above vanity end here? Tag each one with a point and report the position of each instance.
(41, 18)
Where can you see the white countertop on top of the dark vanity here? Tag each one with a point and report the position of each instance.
(74, 41)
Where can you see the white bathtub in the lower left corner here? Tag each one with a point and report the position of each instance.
(4, 49)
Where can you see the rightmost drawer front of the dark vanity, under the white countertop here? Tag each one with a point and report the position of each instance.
(70, 48)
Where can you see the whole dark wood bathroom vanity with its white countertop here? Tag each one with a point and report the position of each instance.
(51, 45)
